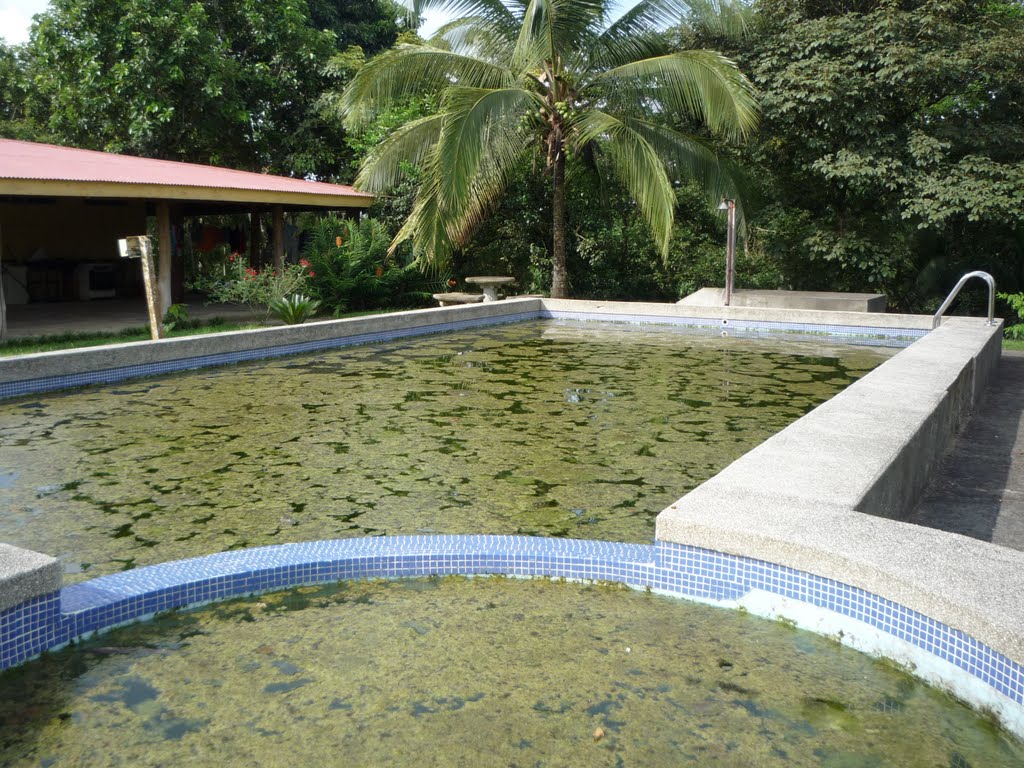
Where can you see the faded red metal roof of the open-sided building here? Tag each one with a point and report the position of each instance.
(27, 160)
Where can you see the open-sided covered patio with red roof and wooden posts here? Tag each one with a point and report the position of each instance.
(63, 210)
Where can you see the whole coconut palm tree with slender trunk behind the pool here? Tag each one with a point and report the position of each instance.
(521, 77)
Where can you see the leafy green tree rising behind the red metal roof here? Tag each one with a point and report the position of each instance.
(230, 82)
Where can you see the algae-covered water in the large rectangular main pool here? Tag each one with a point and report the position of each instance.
(584, 431)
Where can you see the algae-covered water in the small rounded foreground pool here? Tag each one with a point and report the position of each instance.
(481, 672)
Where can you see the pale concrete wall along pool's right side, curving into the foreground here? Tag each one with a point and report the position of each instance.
(800, 499)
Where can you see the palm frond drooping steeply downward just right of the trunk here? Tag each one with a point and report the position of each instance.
(637, 164)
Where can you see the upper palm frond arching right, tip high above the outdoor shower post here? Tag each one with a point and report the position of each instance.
(700, 83)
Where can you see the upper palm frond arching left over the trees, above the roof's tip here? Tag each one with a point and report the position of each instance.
(413, 70)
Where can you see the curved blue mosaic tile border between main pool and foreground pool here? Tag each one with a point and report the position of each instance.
(83, 609)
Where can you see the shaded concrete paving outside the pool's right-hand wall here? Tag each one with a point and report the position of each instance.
(978, 489)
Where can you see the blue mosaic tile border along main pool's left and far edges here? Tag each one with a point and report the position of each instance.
(746, 329)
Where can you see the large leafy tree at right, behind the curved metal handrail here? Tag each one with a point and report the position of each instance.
(892, 142)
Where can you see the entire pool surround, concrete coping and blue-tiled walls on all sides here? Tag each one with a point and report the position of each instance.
(782, 532)
